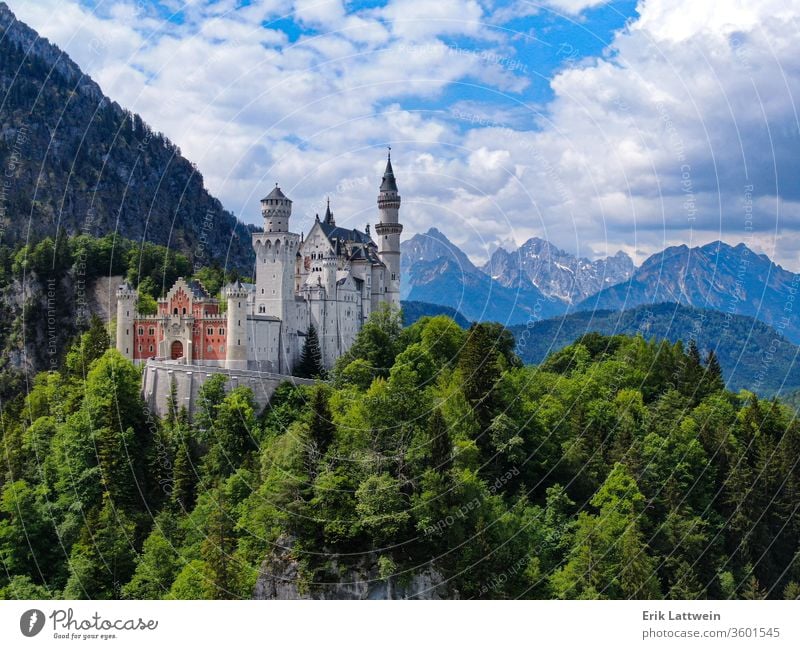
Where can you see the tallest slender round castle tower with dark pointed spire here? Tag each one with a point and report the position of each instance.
(388, 231)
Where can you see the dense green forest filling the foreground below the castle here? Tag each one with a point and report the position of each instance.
(618, 468)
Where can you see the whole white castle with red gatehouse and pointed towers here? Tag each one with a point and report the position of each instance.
(332, 278)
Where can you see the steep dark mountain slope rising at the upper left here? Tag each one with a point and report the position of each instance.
(75, 159)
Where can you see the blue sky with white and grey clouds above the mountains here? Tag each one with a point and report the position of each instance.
(598, 125)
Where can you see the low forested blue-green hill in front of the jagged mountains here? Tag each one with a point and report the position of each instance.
(752, 354)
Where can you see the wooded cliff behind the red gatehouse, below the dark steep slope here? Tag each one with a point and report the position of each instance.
(45, 288)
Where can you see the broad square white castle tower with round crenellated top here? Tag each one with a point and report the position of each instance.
(276, 251)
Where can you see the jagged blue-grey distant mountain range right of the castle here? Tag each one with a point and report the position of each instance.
(538, 281)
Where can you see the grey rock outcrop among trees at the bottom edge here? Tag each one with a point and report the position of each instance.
(281, 579)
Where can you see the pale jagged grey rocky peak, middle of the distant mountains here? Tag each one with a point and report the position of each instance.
(557, 273)
